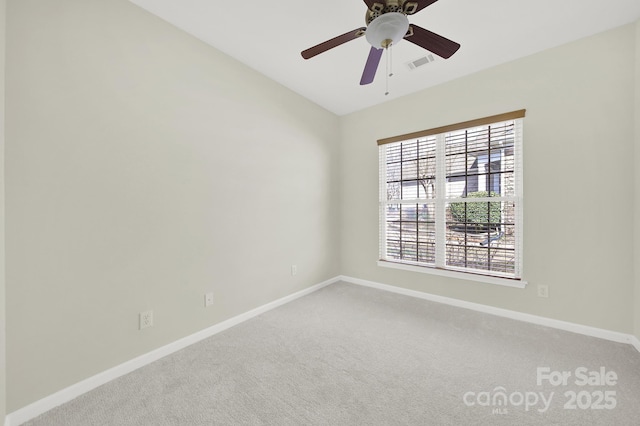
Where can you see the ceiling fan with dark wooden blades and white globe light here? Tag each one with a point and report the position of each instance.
(387, 24)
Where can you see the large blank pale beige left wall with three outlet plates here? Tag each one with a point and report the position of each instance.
(145, 168)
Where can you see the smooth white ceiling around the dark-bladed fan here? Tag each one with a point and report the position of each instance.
(268, 36)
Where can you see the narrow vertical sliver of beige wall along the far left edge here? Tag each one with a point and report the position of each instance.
(3, 393)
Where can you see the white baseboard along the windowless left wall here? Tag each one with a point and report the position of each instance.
(45, 404)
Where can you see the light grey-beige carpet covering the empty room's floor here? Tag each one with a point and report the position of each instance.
(350, 355)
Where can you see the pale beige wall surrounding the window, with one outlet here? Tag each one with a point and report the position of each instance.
(578, 177)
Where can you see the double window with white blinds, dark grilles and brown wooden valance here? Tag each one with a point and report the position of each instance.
(451, 197)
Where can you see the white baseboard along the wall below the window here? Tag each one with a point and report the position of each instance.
(534, 319)
